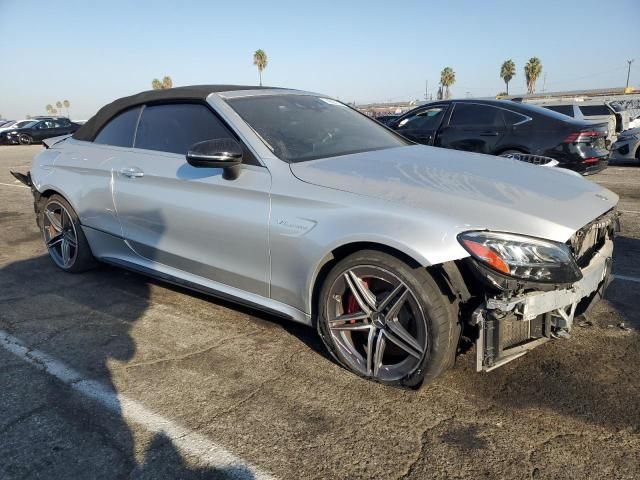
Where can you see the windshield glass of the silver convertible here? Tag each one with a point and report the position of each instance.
(298, 128)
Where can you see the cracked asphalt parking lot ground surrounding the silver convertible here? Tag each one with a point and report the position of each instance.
(265, 390)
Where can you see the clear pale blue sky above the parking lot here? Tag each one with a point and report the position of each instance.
(91, 52)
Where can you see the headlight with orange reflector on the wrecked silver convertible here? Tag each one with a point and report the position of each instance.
(526, 258)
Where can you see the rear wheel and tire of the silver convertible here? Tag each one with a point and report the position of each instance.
(63, 236)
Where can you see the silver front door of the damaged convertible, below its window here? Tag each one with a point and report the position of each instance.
(193, 220)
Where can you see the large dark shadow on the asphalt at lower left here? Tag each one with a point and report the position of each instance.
(82, 321)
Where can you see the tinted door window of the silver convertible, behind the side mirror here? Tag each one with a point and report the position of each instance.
(175, 127)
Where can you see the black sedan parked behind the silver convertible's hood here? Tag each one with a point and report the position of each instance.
(499, 127)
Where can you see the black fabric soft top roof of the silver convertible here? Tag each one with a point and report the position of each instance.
(194, 92)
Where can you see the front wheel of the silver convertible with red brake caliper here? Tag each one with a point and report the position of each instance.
(354, 341)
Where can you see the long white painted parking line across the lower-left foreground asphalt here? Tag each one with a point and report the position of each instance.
(188, 441)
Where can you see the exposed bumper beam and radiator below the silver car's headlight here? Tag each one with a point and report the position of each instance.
(509, 328)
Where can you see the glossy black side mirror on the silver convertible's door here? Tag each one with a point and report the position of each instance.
(223, 153)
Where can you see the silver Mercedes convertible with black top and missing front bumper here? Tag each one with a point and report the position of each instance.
(297, 204)
